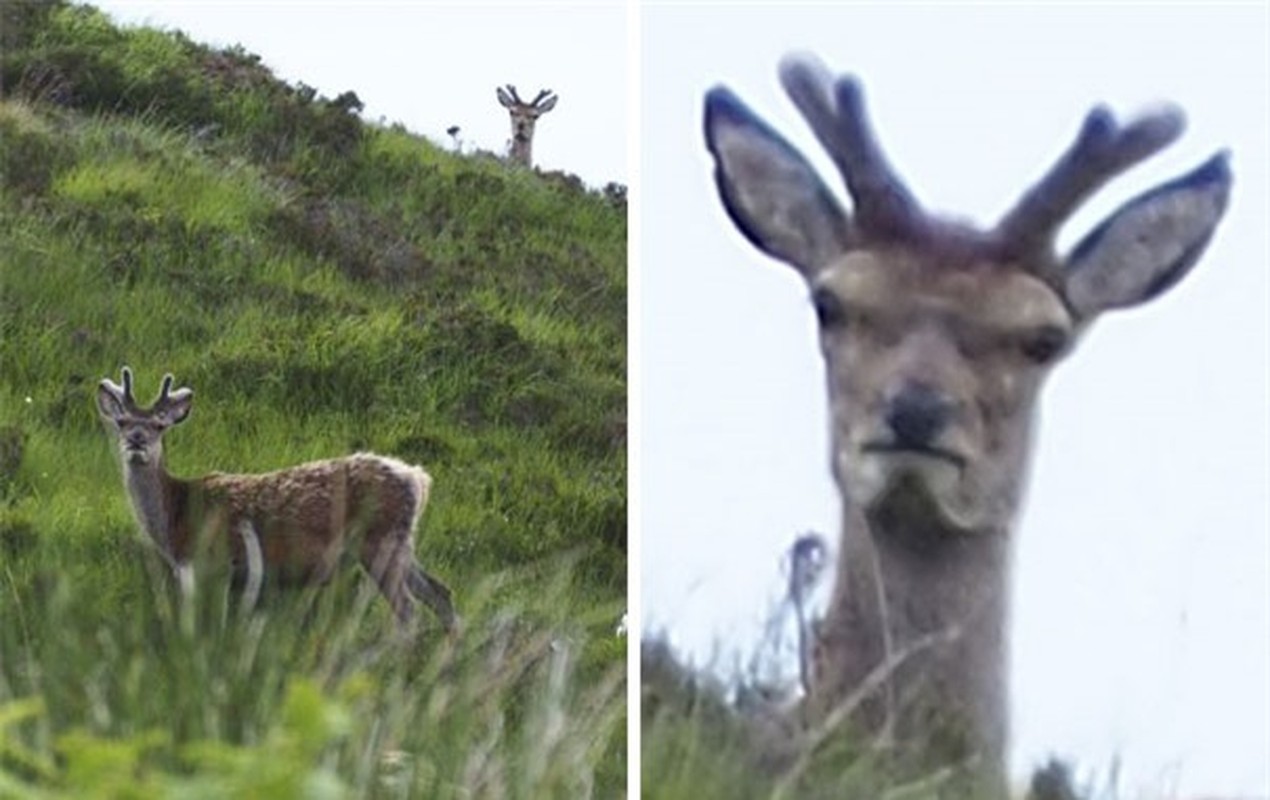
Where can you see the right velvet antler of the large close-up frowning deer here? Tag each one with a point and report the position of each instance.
(1099, 154)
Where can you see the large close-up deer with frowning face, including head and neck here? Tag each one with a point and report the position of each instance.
(937, 338)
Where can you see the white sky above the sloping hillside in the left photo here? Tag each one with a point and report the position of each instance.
(435, 65)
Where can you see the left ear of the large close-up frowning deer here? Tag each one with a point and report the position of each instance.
(770, 190)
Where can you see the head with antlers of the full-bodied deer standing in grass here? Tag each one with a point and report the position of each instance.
(140, 431)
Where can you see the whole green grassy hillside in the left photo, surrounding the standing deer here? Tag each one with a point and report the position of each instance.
(324, 286)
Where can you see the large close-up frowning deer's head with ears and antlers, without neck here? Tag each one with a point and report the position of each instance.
(937, 336)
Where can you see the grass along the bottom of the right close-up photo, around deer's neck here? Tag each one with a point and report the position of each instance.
(705, 738)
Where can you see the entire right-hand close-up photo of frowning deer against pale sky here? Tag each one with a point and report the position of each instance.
(782, 316)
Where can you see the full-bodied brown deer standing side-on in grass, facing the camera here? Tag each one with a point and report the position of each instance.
(294, 525)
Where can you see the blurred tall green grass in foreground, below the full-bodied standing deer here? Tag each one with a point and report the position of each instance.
(199, 699)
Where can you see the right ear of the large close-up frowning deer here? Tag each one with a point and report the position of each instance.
(1151, 243)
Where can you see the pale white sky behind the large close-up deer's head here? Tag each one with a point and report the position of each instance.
(1141, 624)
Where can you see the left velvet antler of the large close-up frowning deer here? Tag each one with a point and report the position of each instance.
(836, 112)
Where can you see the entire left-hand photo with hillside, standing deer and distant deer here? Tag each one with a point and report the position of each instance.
(313, 399)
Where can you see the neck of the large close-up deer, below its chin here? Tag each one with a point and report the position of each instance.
(934, 604)
